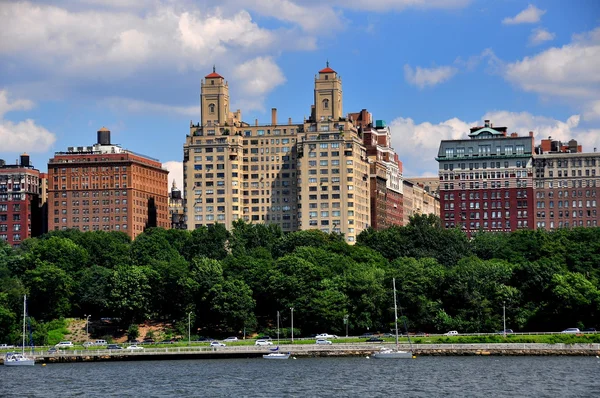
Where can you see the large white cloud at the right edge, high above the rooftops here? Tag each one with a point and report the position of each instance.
(569, 71)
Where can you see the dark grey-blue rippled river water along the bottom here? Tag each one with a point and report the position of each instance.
(488, 377)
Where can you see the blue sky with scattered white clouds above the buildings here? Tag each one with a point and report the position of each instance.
(430, 68)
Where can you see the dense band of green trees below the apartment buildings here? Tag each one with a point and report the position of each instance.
(230, 281)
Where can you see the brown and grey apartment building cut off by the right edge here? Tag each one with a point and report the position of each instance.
(567, 185)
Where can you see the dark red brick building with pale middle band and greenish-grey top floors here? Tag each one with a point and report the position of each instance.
(486, 181)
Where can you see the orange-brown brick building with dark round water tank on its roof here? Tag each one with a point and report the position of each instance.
(105, 187)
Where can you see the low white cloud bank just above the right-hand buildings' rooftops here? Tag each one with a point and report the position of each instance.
(420, 141)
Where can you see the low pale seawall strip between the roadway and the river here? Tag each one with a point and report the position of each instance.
(305, 350)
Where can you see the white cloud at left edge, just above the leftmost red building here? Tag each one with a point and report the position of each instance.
(24, 135)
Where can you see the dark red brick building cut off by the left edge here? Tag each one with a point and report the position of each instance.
(20, 201)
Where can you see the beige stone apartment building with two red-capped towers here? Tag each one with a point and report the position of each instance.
(299, 176)
